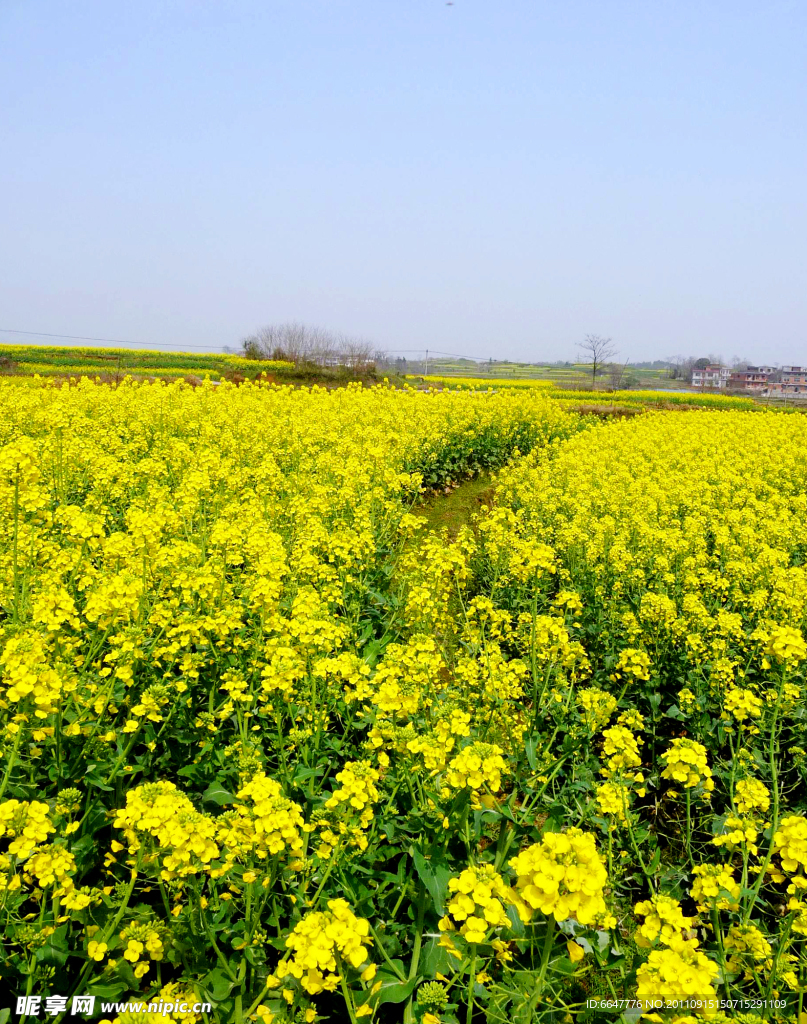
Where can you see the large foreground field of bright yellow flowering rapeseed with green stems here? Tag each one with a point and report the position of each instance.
(269, 744)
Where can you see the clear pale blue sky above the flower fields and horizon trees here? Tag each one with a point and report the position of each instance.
(493, 178)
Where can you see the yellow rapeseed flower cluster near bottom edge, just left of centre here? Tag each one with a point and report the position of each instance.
(321, 944)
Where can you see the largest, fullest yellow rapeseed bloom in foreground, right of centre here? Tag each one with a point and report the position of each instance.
(565, 877)
